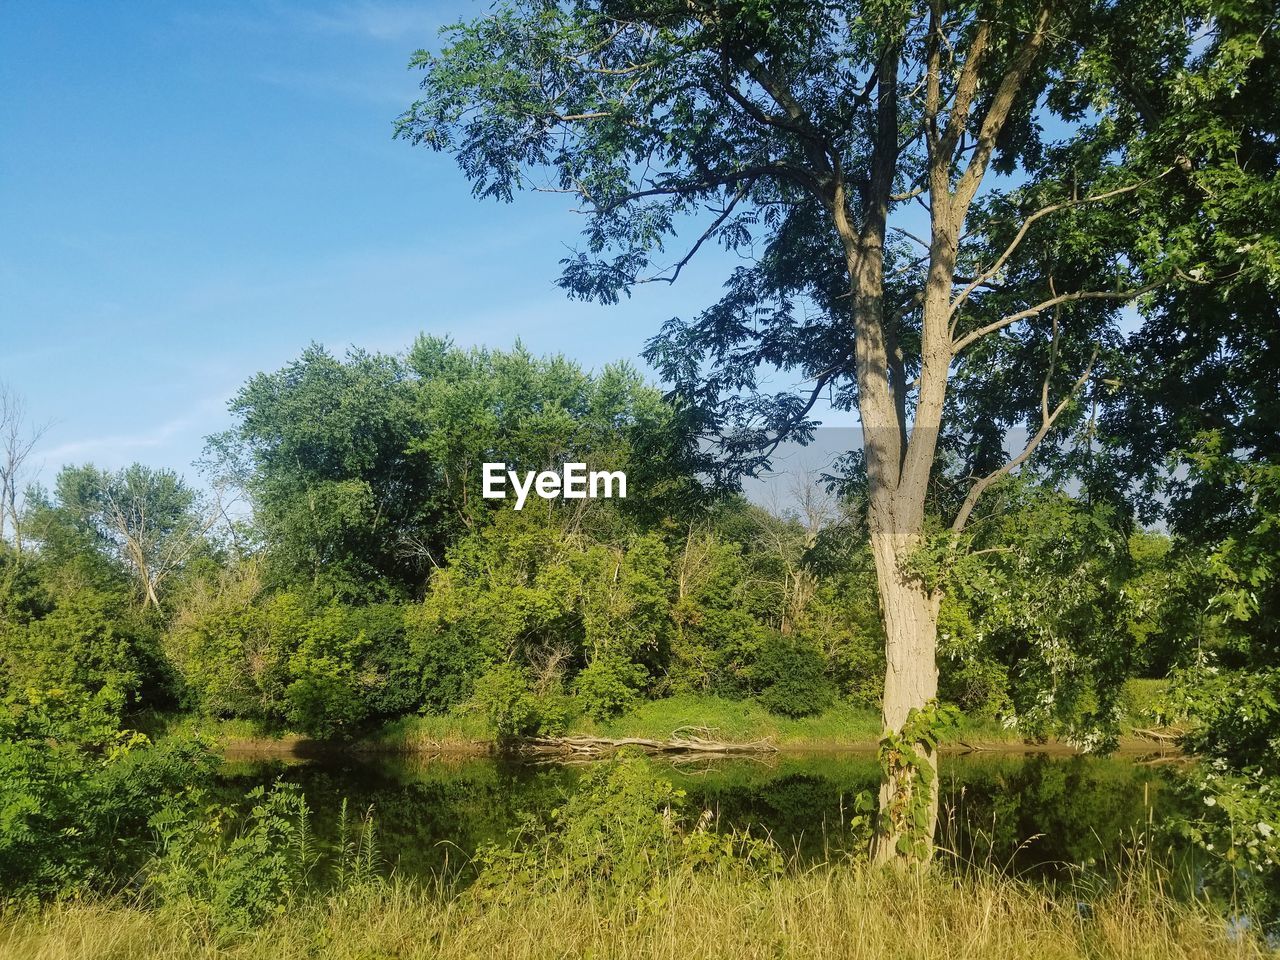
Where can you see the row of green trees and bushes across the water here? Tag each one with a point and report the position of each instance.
(372, 580)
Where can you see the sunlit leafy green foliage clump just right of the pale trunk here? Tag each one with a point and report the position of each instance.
(1035, 620)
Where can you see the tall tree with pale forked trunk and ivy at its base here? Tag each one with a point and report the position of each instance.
(941, 205)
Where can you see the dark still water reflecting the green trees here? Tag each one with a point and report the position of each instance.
(1035, 813)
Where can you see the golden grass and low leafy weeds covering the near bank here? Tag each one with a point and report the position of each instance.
(627, 867)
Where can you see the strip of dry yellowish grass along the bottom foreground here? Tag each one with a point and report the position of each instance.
(824, 915)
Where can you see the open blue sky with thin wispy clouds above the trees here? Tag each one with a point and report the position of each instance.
(190, 194)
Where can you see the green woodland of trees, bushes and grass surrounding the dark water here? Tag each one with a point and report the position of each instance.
(1034, 249)
